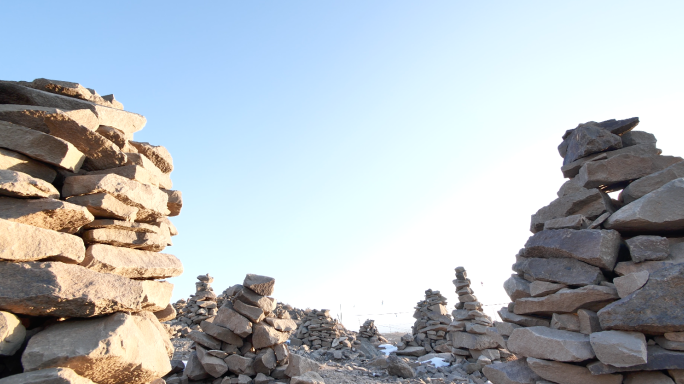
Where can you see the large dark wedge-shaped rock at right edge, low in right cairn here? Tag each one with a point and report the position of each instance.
(655, 308)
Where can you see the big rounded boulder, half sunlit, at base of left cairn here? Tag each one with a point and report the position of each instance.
(114, 349)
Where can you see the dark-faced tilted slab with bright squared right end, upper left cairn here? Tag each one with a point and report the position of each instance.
(40, 146)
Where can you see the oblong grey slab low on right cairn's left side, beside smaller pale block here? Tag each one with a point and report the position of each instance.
(553, 344)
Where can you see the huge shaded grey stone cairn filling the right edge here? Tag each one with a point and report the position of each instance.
(598, 292)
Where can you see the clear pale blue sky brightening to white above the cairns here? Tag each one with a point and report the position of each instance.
(359, 151)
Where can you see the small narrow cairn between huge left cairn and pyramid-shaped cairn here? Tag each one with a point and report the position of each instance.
(199, 307)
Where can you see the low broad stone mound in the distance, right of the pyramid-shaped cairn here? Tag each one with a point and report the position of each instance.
(318, 330)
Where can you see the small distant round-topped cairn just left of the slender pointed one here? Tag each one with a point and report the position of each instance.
(432, 322)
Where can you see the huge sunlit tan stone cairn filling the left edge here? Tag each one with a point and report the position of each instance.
(83, 218)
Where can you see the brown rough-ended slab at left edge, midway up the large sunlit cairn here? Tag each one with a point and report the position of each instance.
(46, 213)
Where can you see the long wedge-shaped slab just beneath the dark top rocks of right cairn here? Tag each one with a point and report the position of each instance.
(622, 168)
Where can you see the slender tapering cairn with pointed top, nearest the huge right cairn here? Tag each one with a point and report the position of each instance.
(469, 323)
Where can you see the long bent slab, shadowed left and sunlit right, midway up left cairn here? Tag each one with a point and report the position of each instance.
(150, 201)
